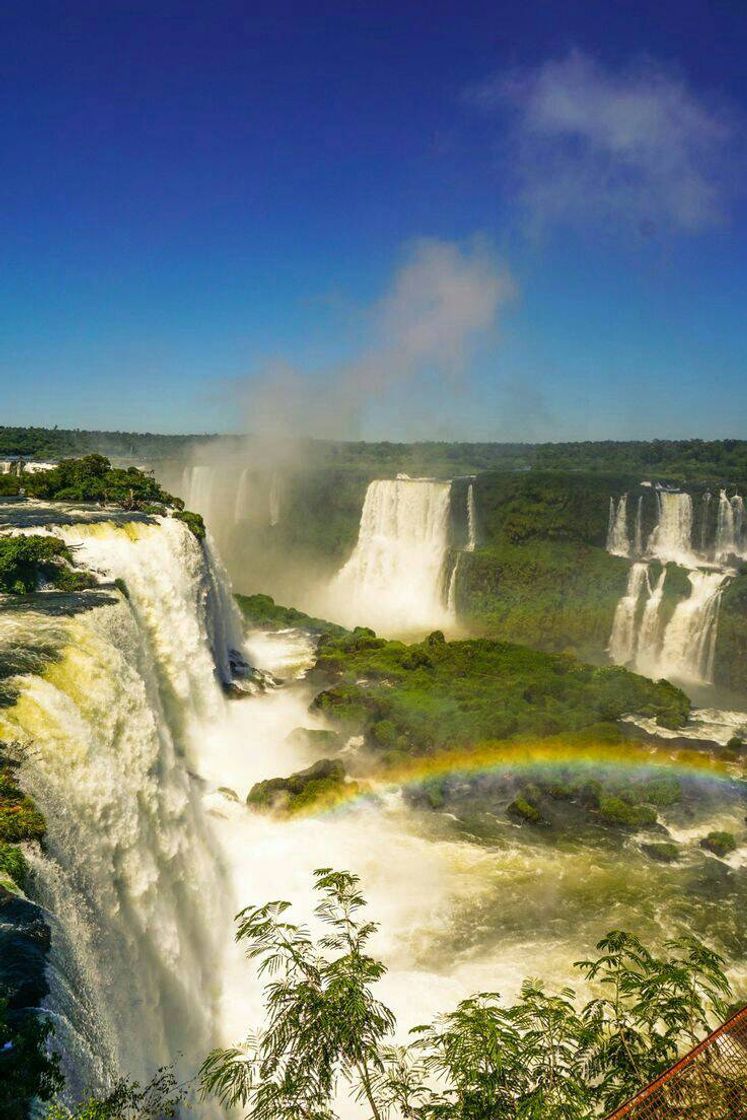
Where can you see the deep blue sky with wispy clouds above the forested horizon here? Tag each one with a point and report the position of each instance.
(194, 198)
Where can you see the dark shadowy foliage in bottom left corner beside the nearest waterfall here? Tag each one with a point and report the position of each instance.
(26, 1068)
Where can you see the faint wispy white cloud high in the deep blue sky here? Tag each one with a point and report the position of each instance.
(592, 144)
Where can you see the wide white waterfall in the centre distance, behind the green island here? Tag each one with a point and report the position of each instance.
(395, 578)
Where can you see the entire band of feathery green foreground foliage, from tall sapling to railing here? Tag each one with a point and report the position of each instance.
(548, 1057)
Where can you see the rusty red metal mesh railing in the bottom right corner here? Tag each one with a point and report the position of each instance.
(709, 1084)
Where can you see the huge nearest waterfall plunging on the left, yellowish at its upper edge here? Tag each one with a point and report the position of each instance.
(114, 729)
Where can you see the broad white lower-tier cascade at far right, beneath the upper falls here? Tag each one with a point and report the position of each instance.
(689, 645)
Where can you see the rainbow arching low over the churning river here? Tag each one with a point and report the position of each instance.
(629, 759)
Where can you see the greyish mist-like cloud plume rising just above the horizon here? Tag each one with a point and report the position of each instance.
(414, 353)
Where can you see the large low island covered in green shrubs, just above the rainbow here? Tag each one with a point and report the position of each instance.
(433, 696)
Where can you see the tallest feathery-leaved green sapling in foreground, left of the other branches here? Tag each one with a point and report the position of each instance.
(324, 1022)
